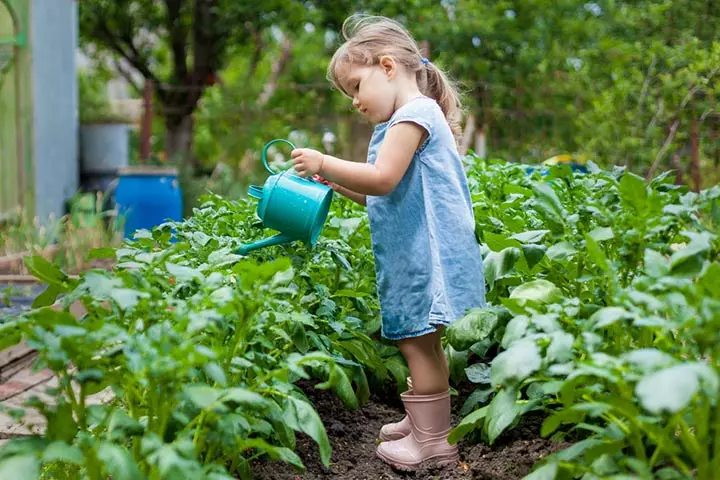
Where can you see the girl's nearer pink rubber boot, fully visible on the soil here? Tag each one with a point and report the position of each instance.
(427, 442)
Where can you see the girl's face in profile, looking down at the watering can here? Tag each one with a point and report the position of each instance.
(372, 89)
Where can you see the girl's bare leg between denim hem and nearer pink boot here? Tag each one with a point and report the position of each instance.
(428, 369)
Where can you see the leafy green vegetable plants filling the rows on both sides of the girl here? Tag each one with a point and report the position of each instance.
(603, 313)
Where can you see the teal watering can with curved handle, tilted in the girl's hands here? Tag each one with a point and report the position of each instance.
(293, 205)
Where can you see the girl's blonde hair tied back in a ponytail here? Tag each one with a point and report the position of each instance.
(368, 38)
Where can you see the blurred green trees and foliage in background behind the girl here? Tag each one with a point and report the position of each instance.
(618, 82)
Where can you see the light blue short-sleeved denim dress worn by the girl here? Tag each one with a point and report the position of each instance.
(427, 259)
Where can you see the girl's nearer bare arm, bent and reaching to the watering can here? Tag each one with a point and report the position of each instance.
(394, 157)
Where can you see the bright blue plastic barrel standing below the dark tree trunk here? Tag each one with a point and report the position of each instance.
(147, 197)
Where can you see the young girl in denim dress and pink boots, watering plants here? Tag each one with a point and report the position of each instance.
(428, 262)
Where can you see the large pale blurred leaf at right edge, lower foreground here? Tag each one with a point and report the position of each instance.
(671, 389)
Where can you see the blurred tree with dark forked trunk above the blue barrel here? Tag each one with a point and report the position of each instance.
(180, 45)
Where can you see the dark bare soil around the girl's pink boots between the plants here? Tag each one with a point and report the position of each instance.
(353, 437)
